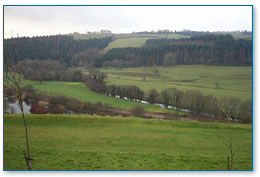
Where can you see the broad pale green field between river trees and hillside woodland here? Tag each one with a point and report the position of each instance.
(234, 81)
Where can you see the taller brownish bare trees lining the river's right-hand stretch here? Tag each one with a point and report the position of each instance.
(206, 106)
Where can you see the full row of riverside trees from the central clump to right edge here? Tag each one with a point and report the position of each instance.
(192, 100)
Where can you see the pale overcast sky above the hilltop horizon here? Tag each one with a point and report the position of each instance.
(49, 20)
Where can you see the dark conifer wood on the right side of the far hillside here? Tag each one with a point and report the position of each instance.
(208, 49)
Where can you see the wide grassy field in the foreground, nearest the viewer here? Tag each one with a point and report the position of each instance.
(81, 142)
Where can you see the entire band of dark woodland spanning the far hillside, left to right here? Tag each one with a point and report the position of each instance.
(207, 49)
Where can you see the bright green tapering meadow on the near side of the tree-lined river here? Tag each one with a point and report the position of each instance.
(78, 91)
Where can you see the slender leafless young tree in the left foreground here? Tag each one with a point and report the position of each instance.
(13, 77)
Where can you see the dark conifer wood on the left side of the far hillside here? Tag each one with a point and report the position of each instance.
(61, 48)
